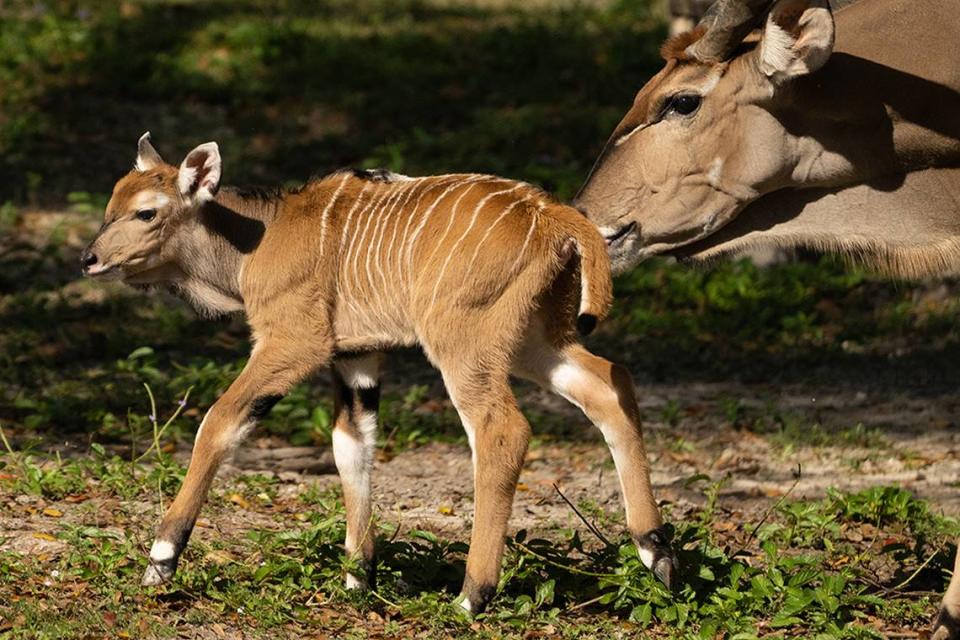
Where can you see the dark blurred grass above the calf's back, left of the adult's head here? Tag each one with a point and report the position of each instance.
(291, 88)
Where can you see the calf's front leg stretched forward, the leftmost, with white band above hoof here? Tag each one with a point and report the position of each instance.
(270, 373)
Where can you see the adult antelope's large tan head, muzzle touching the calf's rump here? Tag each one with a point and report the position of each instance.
(702, 139)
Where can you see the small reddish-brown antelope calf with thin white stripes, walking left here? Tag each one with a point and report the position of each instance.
(486, 274)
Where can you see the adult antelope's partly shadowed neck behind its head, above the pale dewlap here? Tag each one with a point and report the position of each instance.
(886, 102)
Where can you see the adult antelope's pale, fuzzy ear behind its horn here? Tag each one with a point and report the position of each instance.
(797, 38)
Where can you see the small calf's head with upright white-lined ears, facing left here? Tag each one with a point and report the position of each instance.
(148, 208)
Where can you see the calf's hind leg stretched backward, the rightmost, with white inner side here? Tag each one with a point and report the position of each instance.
(604, 392)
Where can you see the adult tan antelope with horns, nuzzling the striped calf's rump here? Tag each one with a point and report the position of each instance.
(838, 135)
